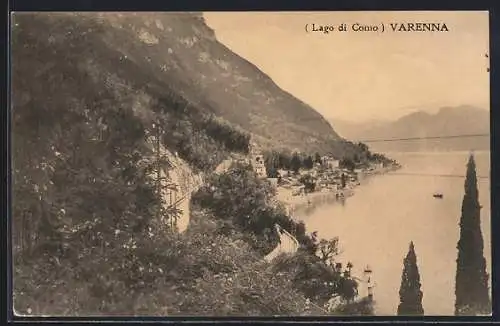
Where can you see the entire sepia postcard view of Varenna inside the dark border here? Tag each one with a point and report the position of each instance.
(250, 164)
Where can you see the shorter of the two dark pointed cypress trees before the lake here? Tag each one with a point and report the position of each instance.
(410, 294)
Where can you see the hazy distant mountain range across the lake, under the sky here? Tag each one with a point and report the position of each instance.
(448, 121)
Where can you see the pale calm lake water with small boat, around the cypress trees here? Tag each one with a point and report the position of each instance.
(376, 225)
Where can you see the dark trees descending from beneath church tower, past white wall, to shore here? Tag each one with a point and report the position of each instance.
(240, 199)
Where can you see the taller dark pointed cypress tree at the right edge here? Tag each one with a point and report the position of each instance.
(471, 287)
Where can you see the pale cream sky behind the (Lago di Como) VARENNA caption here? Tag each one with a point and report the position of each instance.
(359, 76)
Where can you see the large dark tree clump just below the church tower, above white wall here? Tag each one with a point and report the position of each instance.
(239, 197)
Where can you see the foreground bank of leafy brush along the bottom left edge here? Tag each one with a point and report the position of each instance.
(198, 273)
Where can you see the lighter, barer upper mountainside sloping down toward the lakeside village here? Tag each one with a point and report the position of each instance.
(159, 54)
